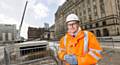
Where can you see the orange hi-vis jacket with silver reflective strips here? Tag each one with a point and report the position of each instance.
(87, 50)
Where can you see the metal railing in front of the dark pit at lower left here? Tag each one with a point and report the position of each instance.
(28, 56)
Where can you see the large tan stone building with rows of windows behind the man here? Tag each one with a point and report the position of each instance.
(102, 17)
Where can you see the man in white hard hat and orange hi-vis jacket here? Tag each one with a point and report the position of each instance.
(78, 47)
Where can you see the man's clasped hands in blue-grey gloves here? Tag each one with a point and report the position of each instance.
(71, 59)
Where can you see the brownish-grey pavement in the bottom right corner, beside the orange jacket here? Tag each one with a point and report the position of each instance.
(111, 57)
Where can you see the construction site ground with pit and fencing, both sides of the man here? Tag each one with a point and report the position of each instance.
(45, 53)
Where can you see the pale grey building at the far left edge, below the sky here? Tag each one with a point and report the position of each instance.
(8, 33)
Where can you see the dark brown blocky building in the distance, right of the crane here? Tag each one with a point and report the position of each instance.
(35, 33)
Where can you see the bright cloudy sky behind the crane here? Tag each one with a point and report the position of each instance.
(37, 13)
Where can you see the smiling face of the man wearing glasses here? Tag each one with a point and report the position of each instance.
(72, 26)
